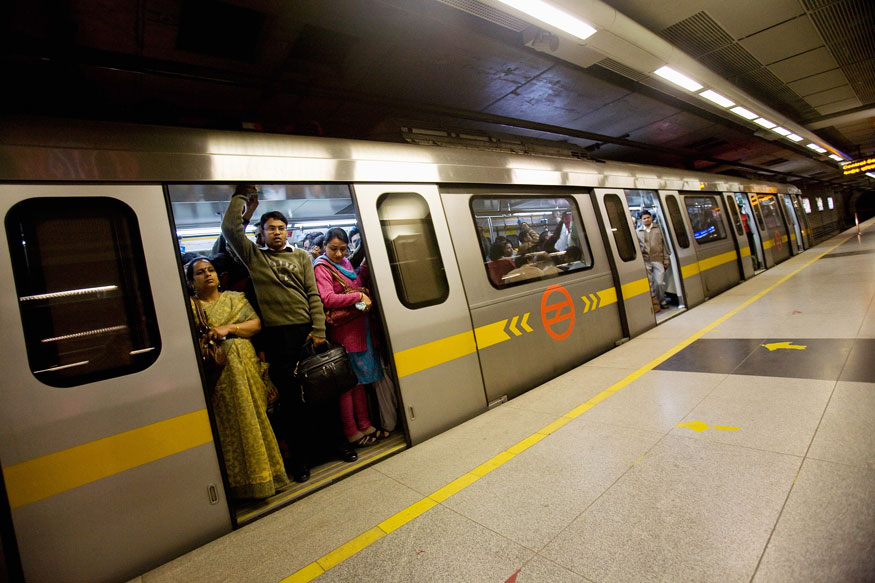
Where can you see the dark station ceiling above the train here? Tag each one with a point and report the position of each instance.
(470, 70)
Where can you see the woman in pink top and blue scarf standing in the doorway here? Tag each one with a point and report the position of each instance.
(334, 273)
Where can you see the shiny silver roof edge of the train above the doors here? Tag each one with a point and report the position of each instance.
(37, 149)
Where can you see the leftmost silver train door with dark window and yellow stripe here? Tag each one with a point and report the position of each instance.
(107, 451)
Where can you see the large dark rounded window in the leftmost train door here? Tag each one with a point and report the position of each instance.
(83, 290)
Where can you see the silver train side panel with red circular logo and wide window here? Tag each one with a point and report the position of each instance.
(541, 307)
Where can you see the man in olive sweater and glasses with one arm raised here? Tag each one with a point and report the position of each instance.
(291, 311)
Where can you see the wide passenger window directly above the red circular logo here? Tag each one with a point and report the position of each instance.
(529, 238)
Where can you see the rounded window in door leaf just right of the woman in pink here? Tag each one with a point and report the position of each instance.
(414, 255)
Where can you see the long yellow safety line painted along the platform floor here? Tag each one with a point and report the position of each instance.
(399, 519)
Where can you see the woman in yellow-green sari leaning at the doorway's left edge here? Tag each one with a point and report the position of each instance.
(253, 460)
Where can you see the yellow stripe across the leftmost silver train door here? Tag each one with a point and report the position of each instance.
(52, 474)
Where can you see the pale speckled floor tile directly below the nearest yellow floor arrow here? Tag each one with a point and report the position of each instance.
(689, 511)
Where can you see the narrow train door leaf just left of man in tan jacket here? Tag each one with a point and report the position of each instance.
(623, 245)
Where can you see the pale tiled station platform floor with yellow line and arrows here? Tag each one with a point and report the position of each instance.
(733, 442)
